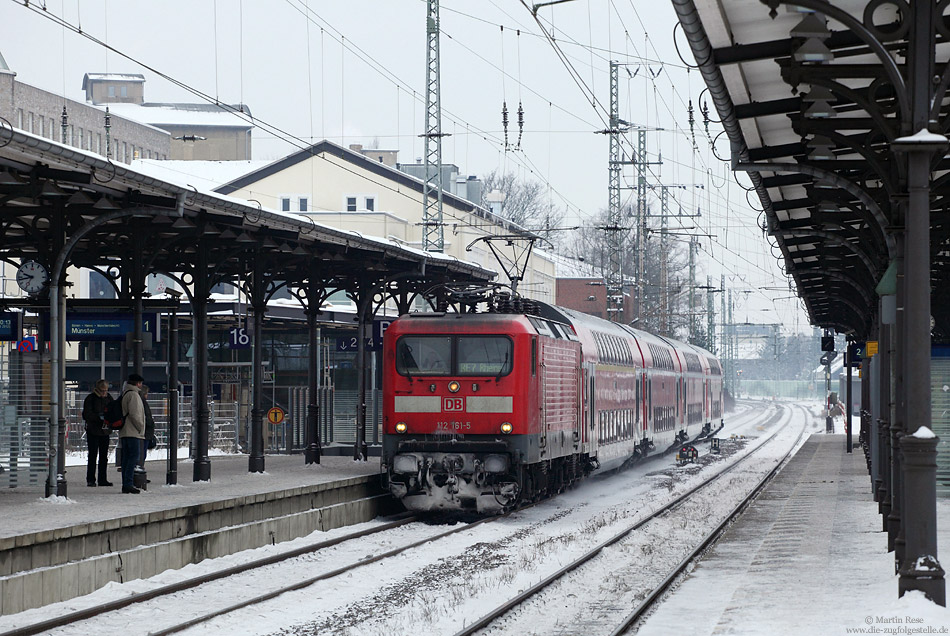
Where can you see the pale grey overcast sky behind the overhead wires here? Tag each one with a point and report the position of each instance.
(353, 71)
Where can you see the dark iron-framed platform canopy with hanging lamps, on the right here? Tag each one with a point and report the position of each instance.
(812, 98)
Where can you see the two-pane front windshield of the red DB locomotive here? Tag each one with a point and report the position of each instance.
(460, 355)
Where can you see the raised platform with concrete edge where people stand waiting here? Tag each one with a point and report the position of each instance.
(53, 549)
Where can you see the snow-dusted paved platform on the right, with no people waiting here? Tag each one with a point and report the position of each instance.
(807, 557)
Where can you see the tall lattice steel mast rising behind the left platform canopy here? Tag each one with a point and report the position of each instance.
(433, 238)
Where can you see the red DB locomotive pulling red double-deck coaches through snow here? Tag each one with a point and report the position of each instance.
(483, 410)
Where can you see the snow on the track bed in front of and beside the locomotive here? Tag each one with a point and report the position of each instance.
(438, 587)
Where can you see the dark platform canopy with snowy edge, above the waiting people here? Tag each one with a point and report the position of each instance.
(109, 217)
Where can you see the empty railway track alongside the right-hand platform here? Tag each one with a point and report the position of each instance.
(651, 598)
